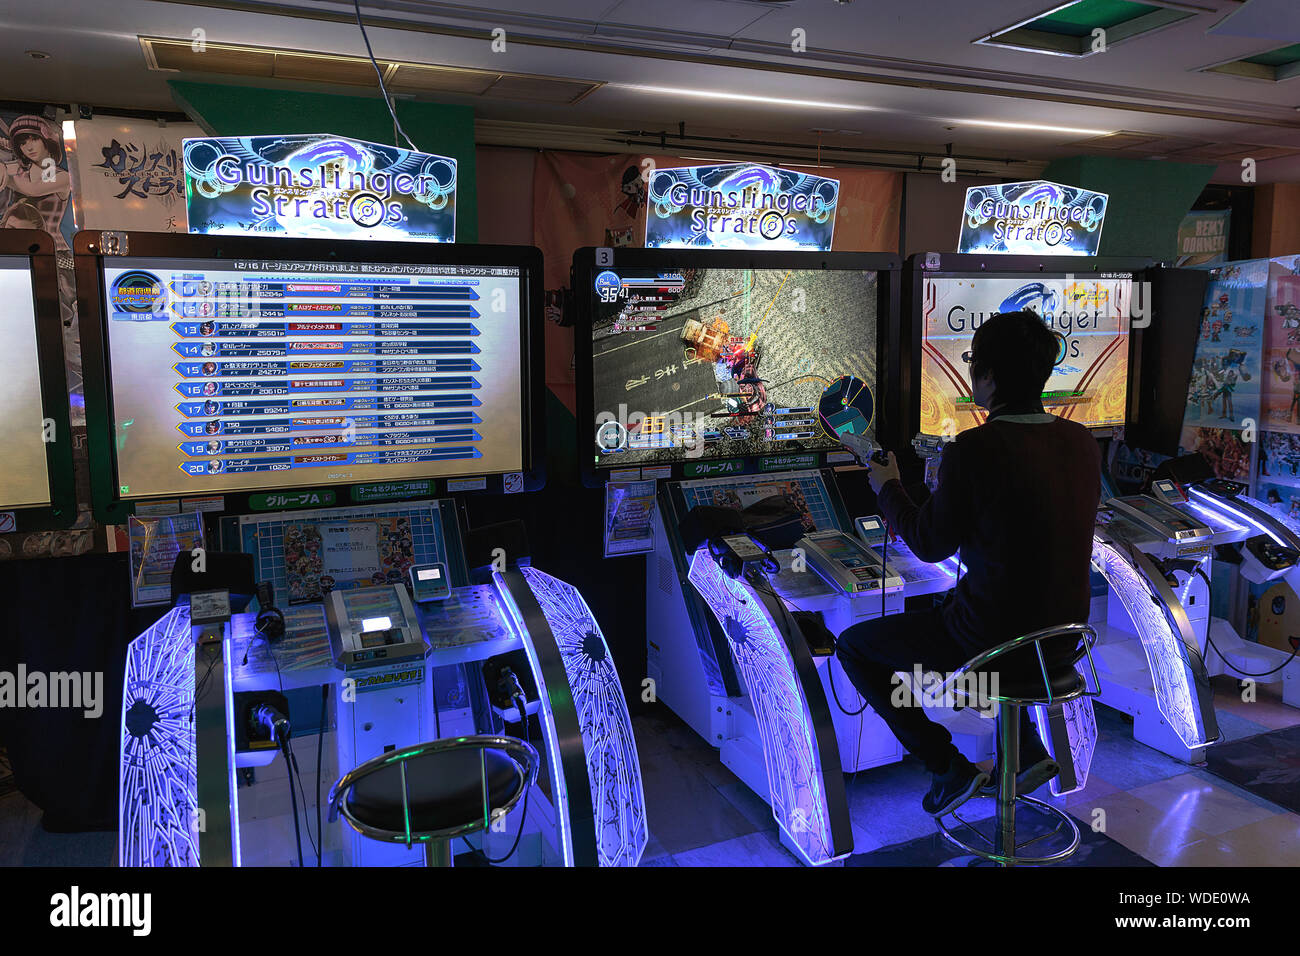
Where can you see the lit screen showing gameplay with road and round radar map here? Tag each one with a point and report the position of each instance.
(720, 364)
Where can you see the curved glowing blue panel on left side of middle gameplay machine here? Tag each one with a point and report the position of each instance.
(785, 724)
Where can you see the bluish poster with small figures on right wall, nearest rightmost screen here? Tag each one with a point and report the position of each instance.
(1224, 390)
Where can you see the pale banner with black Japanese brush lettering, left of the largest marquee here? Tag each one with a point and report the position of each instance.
(131, 175)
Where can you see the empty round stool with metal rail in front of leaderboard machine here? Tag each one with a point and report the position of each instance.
(436, 791)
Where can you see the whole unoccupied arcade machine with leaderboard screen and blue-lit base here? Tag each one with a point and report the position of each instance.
(323, 409)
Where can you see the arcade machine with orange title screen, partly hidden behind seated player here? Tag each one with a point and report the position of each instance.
(1152, 559)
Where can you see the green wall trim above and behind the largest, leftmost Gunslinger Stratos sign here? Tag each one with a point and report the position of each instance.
(248, 111)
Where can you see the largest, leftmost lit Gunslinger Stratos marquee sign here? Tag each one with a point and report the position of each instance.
(319, 185)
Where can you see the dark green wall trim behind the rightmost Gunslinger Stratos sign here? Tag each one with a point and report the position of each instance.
(1149, 200)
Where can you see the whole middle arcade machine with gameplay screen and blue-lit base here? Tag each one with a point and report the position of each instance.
(731, 379)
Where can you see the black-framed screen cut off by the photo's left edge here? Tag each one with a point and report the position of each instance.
(37, 486)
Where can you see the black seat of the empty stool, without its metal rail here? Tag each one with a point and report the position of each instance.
(445, 791)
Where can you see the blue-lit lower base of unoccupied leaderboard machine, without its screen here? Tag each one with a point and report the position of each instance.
(588, 807)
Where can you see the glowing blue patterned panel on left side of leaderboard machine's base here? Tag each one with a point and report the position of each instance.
(158, 820)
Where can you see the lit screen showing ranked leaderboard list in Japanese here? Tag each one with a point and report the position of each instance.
(246, 375)
